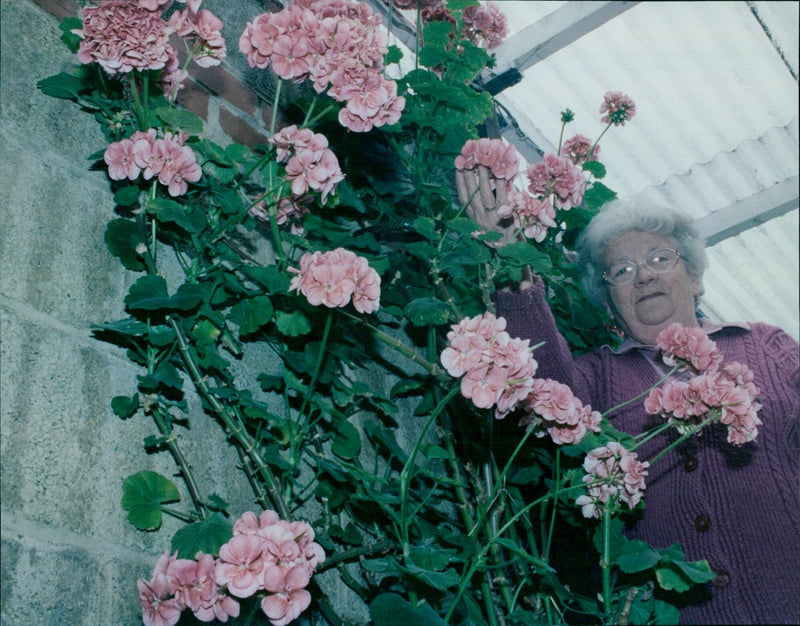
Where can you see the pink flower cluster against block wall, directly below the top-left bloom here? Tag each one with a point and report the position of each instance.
(166, 158)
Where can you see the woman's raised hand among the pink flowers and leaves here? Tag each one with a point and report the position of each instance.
(482, 198)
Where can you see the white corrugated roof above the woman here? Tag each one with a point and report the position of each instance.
(716, 128)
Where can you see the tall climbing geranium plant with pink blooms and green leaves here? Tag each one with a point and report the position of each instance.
(374, 267)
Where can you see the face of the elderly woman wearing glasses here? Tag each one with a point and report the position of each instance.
(650, 302)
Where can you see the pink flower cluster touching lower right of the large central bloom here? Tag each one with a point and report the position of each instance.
(552, 407)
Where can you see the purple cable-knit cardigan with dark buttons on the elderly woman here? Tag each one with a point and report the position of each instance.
(737, 507)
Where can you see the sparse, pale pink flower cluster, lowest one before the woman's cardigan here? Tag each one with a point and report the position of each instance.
(613, 474)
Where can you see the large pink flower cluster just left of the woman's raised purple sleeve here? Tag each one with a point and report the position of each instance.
(497, 369)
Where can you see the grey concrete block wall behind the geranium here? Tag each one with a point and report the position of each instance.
(69, 555)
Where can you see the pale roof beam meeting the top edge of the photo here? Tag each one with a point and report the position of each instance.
(555, 31)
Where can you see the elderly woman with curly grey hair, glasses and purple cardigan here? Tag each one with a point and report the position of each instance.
(737, 507)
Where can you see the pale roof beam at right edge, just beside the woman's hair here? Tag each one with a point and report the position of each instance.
(752, 211)
